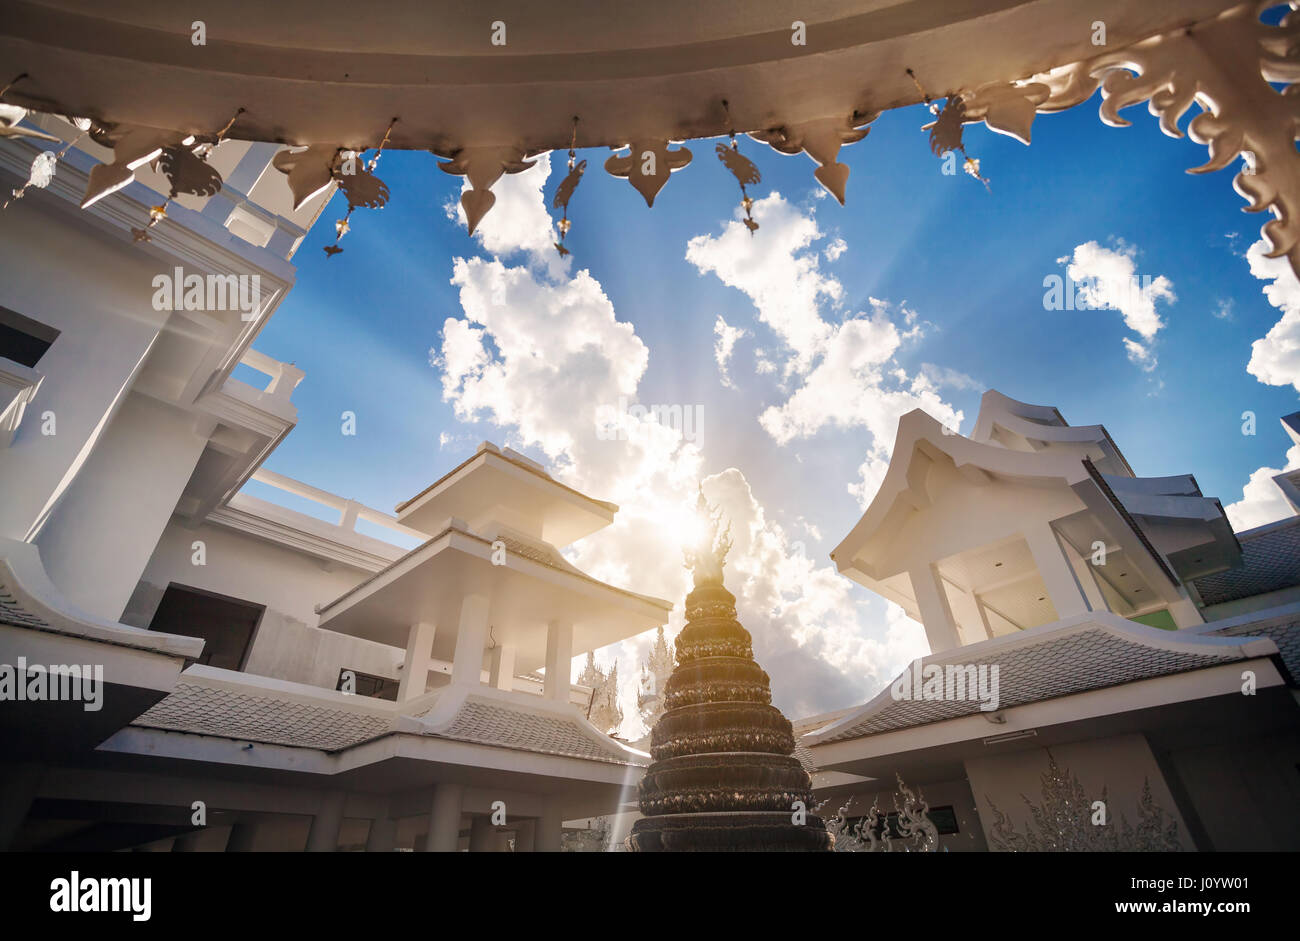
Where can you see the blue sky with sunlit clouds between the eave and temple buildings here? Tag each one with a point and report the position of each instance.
(957, 271)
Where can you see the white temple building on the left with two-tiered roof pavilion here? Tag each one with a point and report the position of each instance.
(307, 683)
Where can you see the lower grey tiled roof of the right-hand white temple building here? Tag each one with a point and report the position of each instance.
(1063, 664)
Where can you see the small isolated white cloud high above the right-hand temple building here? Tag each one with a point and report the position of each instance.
(1108, 279)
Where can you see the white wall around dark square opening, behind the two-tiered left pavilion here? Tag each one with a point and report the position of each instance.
(289, 584)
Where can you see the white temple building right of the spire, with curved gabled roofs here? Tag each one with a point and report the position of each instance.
(1095, 636)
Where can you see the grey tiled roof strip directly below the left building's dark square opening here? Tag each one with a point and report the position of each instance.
(229, 714)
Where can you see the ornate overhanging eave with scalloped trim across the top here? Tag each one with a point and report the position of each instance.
(444, 83)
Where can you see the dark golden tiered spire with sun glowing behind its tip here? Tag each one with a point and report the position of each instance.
(725, 777)
